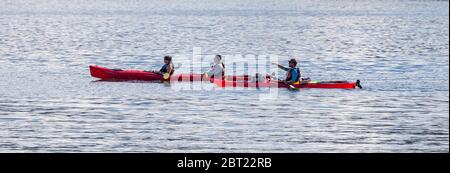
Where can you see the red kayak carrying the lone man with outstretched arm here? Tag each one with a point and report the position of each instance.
(273, 84)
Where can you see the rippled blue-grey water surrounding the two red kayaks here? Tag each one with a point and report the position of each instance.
(49, 102)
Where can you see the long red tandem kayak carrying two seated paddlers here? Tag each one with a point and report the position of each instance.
(104, 73)
